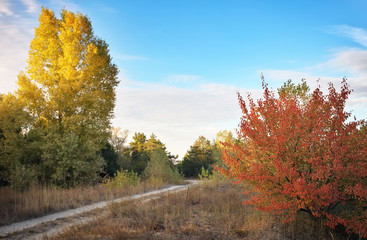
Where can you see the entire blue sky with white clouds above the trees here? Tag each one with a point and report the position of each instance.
(182, 62)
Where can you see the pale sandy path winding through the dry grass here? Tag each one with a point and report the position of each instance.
(54, 223)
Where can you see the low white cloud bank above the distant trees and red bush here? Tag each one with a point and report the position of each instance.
(178, 116)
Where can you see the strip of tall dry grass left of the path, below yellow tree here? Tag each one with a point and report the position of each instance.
(41, 200)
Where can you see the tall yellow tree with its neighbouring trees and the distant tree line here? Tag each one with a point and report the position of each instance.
(56, 127)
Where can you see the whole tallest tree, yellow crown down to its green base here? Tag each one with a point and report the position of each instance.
(69, 89)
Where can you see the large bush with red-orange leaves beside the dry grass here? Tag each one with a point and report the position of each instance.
(298, 152)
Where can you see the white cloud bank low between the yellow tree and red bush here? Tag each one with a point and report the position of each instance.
(177, 116)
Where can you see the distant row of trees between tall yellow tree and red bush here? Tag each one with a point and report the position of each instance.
(137, 154)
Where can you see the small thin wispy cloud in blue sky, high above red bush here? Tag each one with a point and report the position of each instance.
(356, 34)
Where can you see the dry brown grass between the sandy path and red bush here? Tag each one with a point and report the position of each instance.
(210, 211)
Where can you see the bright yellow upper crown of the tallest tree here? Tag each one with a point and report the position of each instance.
(70, 78)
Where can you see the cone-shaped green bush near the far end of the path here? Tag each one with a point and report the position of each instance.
(161, 169)
